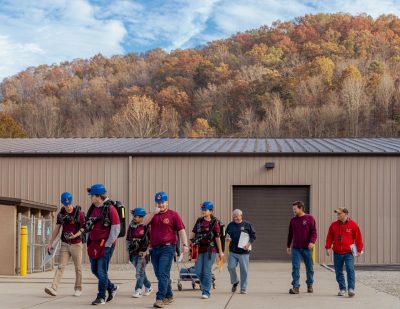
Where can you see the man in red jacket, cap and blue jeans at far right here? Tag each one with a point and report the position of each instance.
(344, 237)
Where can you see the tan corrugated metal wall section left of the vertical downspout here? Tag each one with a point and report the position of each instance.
(43, 179)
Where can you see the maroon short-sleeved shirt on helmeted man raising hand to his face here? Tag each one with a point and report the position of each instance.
(164, 228)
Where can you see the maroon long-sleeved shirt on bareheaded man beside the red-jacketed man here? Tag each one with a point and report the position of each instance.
(302, 231)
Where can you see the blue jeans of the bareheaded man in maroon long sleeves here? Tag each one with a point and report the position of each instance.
(306, 255)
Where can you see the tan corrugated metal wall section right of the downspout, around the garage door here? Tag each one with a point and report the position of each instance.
(368, 186)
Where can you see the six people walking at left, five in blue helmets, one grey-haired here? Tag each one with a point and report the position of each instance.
(151, 236)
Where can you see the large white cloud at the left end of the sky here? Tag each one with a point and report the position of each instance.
(47, 32)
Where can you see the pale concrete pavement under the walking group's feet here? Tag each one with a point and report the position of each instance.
(268, 288)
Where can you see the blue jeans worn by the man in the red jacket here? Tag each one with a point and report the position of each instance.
(339, 260)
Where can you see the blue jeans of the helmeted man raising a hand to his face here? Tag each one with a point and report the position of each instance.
(161, 258)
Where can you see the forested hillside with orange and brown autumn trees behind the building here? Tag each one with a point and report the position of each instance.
(325, 75)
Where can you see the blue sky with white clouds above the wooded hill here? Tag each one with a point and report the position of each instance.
(34, 32)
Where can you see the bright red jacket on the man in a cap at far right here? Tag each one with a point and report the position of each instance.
(343, 235)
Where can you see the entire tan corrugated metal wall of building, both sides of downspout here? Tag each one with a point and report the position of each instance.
(368, 186)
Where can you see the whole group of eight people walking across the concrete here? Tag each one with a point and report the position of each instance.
(156, 236)
